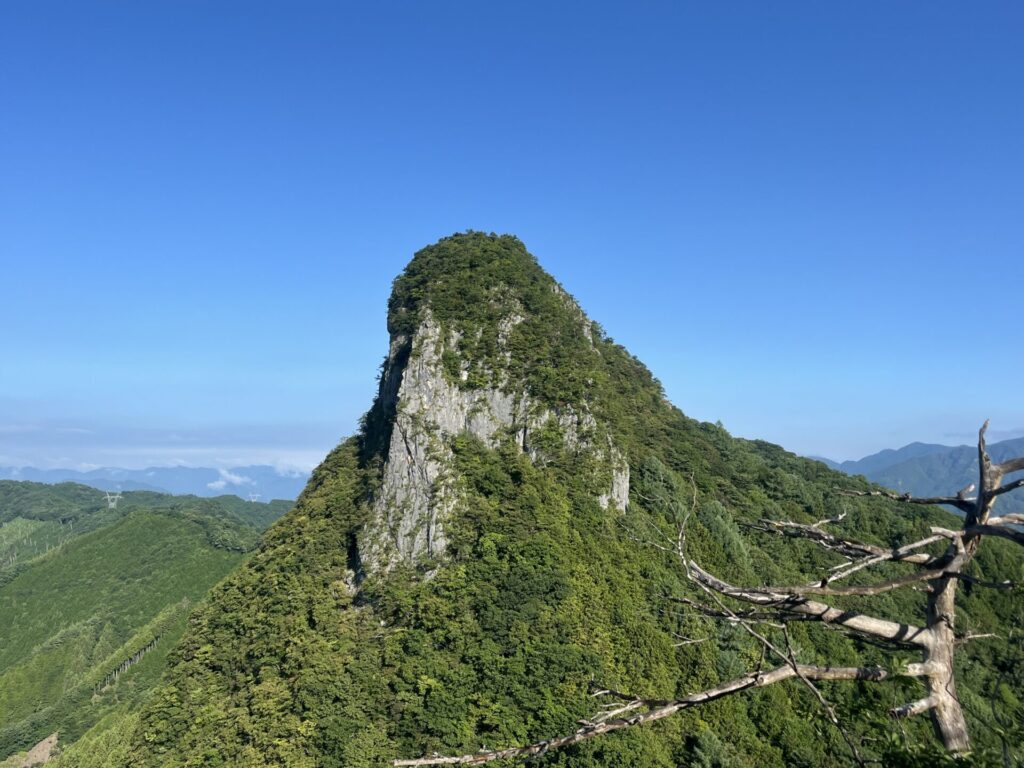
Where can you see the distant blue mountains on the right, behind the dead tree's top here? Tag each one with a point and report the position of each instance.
(928, 470)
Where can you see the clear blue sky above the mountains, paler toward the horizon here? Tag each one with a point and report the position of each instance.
(807, 219)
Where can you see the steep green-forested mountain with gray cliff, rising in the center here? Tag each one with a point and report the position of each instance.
(462, 570)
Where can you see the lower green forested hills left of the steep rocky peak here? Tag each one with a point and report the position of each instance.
(93, 599)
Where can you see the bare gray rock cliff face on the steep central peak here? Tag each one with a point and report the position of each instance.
(418, 493)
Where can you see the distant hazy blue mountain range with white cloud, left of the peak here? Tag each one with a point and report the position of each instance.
(264, 482)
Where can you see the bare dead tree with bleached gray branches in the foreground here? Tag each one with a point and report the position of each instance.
(938, 575)
